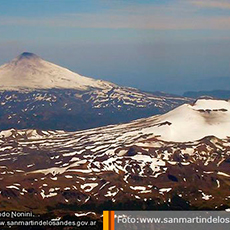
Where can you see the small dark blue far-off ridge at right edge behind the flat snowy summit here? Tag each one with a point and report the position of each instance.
(218, 94)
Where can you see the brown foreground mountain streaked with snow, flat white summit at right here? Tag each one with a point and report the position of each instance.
(179, 160)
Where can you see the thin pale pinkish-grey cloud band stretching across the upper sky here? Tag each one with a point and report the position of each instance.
(166, 17)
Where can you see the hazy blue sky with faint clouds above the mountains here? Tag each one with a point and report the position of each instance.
(169, 45)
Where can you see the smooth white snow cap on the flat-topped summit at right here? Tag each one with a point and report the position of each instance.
(193, 122)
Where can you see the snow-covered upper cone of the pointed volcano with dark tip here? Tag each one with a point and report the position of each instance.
(29, 71)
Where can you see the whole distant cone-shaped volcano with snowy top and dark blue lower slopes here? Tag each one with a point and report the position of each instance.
(35, 93)
